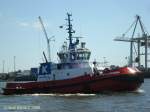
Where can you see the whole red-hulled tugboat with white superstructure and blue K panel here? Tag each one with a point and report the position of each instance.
(74, 73)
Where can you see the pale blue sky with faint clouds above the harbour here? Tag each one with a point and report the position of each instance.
(98, 21)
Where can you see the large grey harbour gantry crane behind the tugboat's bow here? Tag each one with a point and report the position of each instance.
(144, 40)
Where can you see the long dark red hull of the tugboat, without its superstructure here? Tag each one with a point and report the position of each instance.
(82, 84)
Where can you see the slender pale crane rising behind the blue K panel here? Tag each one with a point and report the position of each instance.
(47, 39)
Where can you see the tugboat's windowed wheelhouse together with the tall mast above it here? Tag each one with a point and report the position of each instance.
(73, 52)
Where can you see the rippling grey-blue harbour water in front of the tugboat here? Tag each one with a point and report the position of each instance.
(137, 101)
